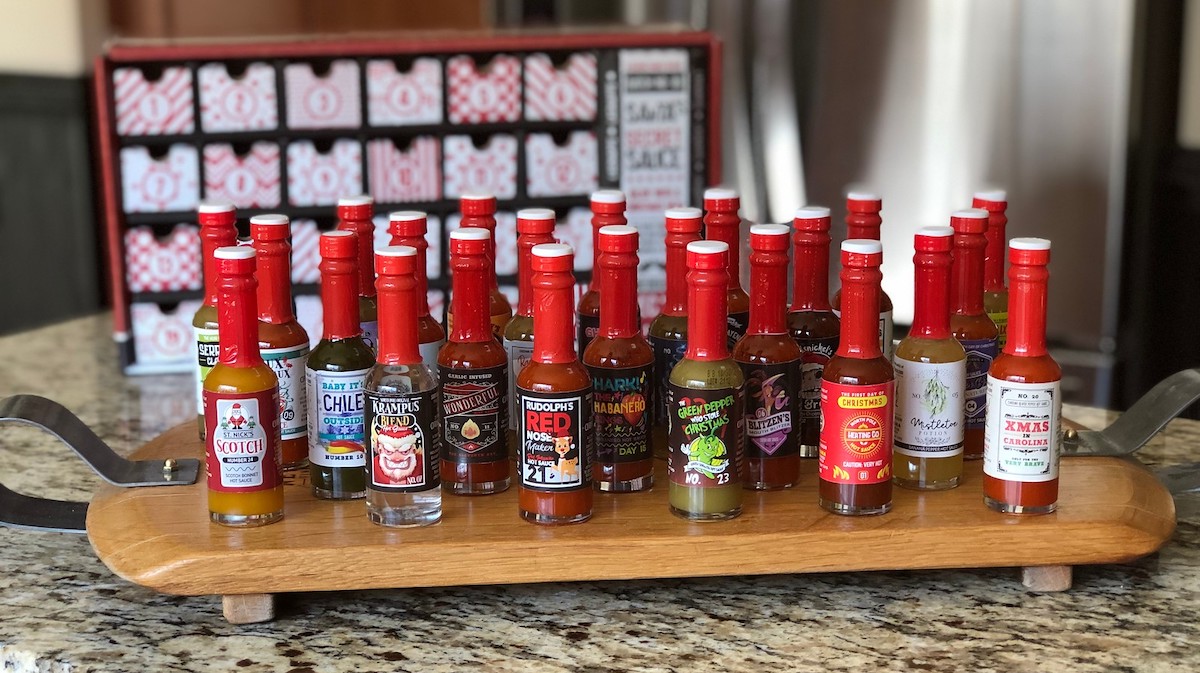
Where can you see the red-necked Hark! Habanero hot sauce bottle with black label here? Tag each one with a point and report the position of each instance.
(620, 362)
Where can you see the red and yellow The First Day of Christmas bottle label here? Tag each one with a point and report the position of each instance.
(856, 434)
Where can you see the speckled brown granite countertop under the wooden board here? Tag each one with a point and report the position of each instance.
(62, 610)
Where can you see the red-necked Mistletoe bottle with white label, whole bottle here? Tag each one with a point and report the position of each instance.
(932, 370)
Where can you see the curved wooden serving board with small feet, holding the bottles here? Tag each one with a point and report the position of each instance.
(1111, 512)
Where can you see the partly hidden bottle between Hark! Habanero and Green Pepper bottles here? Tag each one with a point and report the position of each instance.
(669, 331)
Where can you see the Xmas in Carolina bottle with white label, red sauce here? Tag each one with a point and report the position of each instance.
(1024, 435)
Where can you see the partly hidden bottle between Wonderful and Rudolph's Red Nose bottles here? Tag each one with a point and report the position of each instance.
(536, 226)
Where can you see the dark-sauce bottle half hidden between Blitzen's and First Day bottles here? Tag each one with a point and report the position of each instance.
(814, 325)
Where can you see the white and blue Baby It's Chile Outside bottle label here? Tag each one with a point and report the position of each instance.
(337, 418)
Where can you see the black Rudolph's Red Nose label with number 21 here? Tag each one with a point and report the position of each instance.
(556, 441)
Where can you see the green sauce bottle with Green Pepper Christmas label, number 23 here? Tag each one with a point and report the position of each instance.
(705, 399)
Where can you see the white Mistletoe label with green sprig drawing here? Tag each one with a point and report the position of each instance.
(931, 398)
